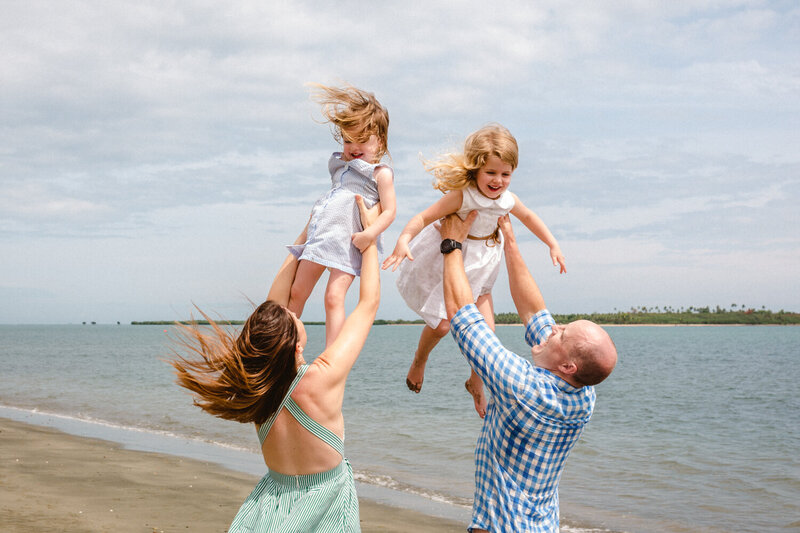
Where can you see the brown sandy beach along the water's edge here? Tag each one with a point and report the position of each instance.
(55, 482)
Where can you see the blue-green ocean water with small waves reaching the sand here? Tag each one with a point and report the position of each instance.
(697, 429)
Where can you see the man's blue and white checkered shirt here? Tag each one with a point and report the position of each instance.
(533, 420)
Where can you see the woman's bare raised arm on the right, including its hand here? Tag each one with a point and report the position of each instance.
(338, 358)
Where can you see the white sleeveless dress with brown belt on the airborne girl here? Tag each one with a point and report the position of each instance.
(420, 281)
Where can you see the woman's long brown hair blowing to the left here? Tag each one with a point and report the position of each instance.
(245, 377)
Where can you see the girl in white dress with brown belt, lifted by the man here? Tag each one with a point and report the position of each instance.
(476, 179)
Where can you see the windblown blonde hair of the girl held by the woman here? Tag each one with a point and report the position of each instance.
(354, 113)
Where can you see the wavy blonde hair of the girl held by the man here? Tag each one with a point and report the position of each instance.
(454, 171)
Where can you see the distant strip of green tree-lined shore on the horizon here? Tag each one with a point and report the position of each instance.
(636, 315)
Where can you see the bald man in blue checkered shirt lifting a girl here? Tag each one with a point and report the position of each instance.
(538, 407)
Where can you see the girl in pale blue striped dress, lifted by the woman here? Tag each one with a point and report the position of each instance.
(336, 237)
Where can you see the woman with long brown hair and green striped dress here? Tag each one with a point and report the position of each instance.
(261, 377)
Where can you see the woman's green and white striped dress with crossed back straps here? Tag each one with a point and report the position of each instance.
(324, 502)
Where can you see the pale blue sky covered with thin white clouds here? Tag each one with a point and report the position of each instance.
(159, 154)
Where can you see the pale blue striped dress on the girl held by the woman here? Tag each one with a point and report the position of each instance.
(335, 217)
